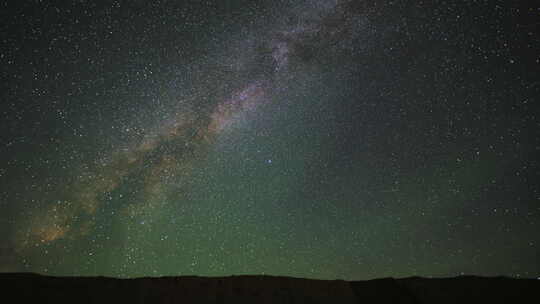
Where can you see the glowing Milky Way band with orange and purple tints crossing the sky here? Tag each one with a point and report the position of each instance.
(162, 160)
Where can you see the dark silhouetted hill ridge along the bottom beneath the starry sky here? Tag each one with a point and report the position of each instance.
(33, 288)
